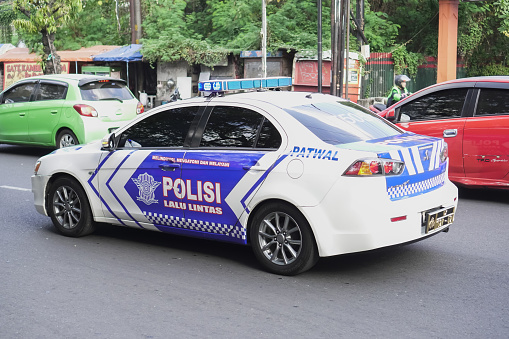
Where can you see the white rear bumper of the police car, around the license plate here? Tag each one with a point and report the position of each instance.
(352, 220)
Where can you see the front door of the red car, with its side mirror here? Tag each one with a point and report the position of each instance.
(439, 114)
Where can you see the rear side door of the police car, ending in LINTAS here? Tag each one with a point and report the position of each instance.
(229, 160)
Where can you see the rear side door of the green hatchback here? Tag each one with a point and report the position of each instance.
(45, 111)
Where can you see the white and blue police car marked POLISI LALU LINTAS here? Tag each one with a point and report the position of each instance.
(296, 175)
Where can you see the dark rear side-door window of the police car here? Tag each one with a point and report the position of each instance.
(239, 127)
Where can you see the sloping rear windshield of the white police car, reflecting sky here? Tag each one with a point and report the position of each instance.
(342, 122)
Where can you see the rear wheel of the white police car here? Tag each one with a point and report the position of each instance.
(282, 239)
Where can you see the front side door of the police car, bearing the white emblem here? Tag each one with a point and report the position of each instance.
(140, 182)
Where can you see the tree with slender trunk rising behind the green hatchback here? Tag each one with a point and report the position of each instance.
(45, 17)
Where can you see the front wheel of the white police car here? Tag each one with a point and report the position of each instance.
(69, 209)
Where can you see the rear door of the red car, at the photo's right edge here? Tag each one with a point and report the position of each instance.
(486, 136)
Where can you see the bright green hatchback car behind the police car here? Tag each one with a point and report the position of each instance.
(64, 109)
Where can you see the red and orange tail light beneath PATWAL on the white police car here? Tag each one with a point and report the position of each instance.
(366, 167)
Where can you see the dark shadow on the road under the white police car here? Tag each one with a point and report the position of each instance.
(375, 262)
